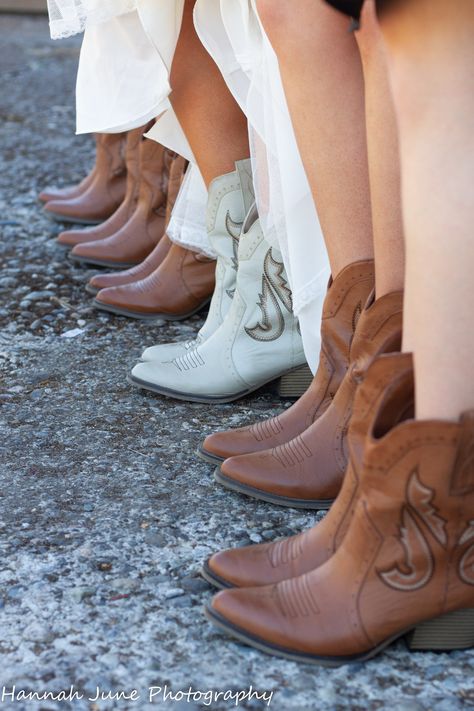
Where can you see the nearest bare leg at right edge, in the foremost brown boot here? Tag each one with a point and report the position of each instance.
(432, 56)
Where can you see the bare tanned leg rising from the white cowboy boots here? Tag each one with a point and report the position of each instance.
(213, 123)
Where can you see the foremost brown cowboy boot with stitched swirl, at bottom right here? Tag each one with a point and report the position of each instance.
(405, 567)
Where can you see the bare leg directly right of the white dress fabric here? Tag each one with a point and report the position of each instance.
(322, 75)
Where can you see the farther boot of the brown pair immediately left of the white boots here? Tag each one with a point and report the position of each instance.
(177, 170)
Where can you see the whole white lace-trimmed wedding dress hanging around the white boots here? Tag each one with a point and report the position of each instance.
(123, 81)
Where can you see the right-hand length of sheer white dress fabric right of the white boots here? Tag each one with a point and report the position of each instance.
(234, 36)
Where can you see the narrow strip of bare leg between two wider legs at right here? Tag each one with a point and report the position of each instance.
(384, 159)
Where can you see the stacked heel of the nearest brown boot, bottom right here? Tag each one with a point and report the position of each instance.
(455, 630)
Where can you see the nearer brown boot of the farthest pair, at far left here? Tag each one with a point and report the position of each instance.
(106, 191)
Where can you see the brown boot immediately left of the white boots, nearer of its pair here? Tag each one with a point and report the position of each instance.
(181, 285)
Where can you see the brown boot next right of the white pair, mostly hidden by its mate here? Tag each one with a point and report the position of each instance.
(345, 299)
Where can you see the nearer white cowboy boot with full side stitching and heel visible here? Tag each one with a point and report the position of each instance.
(257, 342)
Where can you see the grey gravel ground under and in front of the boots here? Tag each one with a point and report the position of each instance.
(107, 513)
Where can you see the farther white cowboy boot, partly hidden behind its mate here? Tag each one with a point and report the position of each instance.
(230, 197)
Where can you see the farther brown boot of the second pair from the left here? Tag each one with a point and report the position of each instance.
(70, 238)
